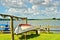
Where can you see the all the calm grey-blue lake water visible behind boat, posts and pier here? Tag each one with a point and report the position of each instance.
(37, 23)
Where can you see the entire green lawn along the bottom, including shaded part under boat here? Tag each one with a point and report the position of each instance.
(32, 37)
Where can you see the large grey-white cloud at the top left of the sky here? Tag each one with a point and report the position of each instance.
(14, 3)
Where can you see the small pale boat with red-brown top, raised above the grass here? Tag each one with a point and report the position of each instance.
(22, 28)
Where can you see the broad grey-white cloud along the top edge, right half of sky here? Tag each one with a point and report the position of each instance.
(46, 3)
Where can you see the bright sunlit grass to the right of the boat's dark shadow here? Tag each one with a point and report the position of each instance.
(47, 37)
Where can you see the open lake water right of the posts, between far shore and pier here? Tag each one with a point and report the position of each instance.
(44, 22)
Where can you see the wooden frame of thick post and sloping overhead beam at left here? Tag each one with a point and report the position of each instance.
(11, 22)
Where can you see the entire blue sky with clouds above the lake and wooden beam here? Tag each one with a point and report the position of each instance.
(32, 9)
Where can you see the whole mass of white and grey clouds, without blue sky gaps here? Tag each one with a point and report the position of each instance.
(20, 8)
